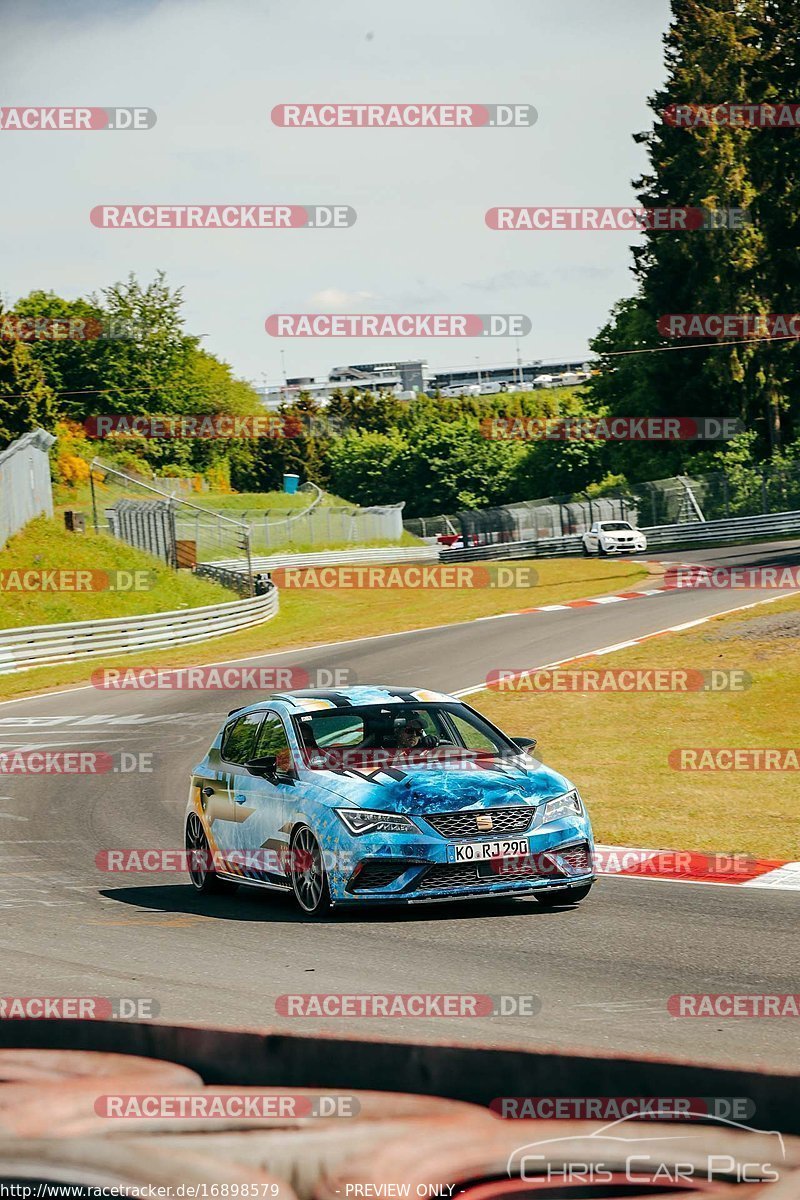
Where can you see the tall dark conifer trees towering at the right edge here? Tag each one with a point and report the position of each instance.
(717, 52)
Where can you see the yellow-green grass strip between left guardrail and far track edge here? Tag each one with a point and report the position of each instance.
(310, 619)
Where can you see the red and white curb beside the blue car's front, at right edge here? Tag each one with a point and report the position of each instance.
(694, 867)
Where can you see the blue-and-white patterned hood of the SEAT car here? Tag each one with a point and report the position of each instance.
(438, 789)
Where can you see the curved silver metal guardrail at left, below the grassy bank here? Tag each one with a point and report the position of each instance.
(37, 646)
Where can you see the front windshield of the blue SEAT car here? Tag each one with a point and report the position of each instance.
(372, 734)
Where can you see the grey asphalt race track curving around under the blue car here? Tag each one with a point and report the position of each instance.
(604, 971)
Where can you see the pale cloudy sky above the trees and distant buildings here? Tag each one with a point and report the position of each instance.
(213, 71)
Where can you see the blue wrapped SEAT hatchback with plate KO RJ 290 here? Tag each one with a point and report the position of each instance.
(382, 795)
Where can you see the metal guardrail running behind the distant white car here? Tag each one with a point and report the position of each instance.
(679, 537)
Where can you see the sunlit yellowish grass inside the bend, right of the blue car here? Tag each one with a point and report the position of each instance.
(616, 748)
